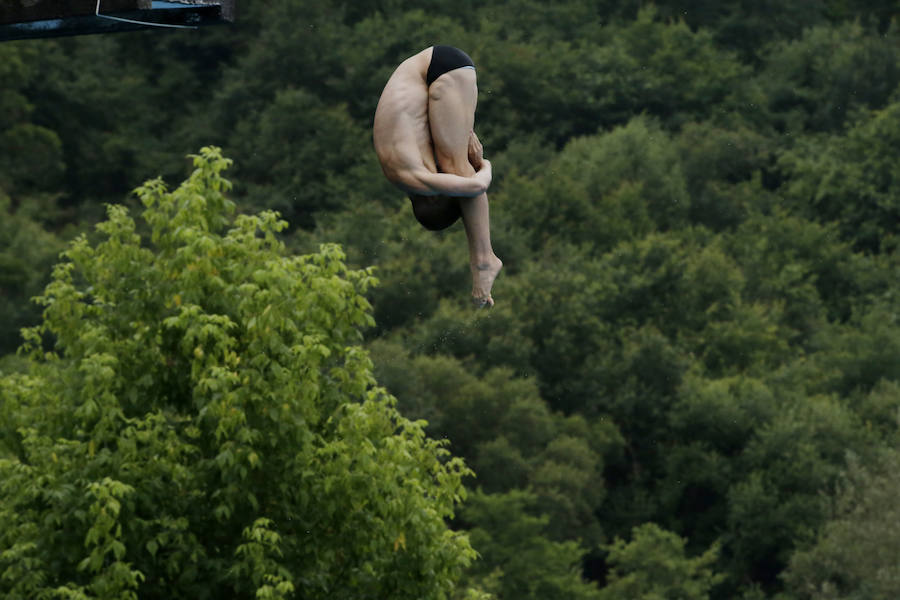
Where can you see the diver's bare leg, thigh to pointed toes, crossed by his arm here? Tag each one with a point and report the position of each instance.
(451, 115)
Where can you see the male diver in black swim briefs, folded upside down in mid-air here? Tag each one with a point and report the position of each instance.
(425, 142)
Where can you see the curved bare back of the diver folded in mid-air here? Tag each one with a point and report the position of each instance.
(401, 132)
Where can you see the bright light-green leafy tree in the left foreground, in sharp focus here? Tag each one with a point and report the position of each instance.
(206, 424)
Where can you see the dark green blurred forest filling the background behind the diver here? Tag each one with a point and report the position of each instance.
(690, 383)
